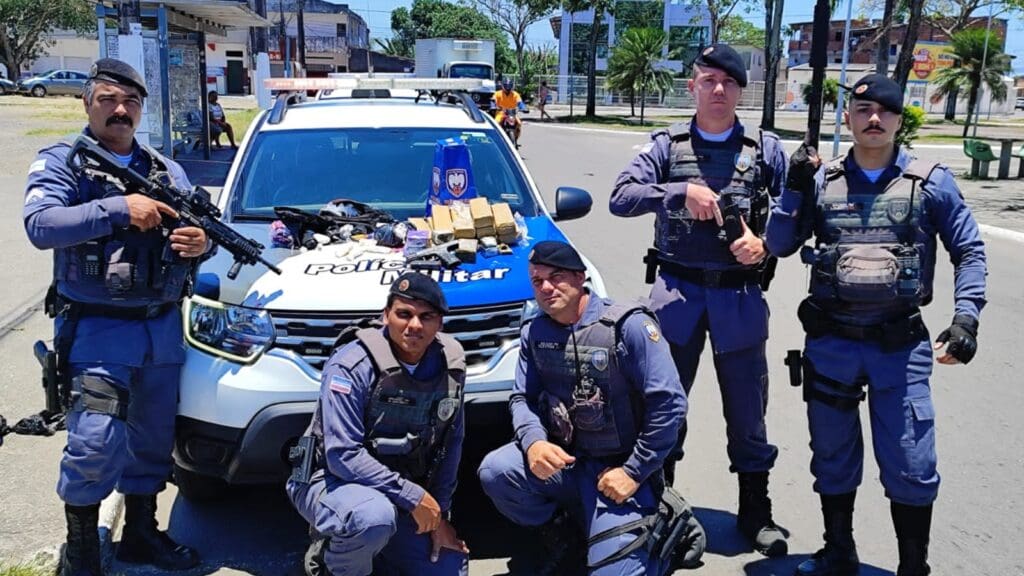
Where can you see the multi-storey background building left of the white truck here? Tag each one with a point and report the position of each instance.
(331, 32)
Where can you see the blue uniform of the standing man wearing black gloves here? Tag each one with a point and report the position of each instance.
(915, 202)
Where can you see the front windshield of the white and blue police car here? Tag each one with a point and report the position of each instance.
(390, 170)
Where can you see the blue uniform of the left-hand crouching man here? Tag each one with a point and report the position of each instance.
(358, 503)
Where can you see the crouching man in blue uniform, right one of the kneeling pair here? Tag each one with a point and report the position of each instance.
(596, 408)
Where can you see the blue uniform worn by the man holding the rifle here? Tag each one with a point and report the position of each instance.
(129, 347)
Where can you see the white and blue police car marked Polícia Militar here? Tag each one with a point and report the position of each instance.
(257, 344)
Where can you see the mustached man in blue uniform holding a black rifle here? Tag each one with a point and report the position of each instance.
(117, 293)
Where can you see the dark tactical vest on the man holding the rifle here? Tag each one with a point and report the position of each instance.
(129, 265)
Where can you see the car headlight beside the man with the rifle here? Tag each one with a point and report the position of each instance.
(229, 332)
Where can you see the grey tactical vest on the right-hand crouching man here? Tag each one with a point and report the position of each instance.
(584, 376)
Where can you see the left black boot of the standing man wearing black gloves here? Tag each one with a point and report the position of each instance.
(839, 558)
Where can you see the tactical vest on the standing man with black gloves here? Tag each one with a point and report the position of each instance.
(869, 256)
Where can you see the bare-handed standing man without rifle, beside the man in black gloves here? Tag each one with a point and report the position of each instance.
(709, 274)
